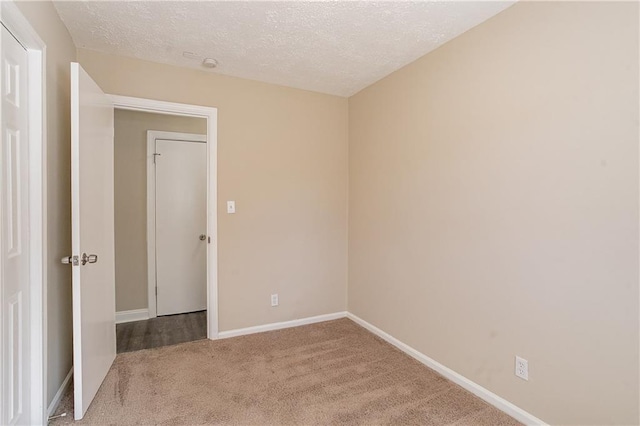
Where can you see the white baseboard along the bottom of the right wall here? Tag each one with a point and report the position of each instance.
(488, 396)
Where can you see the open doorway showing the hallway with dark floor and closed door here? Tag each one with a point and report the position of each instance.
(161, 235)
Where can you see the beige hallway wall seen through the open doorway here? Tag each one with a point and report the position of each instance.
(130, 163)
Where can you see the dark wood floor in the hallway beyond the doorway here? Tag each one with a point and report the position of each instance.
(161, 331)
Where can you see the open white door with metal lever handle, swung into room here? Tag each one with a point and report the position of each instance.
(92, 217)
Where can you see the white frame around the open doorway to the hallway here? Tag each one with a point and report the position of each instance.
(211, 115)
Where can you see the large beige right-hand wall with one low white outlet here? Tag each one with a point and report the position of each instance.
(494, 207)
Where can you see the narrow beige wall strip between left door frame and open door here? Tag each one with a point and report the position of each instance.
(60, 52)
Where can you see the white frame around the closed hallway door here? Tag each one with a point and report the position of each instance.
(152, 136)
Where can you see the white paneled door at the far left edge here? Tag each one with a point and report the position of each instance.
(14, 260)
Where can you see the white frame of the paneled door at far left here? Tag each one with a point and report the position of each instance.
(18, 25)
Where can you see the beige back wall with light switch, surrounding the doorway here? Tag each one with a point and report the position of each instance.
(282, 156)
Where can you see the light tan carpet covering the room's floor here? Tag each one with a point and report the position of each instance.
(331, 373)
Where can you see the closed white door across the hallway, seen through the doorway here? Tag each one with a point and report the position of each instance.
(181, 226)
